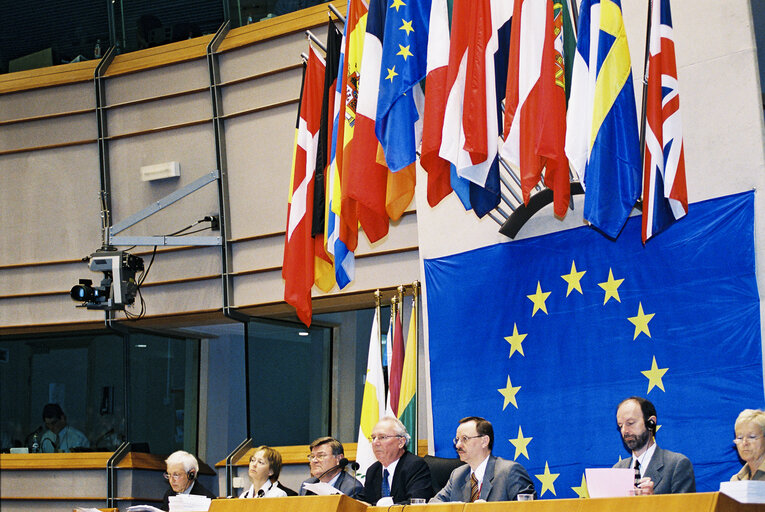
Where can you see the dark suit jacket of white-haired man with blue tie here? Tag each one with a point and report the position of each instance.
(411, 480)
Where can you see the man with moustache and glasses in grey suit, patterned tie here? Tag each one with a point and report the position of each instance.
(485, 476)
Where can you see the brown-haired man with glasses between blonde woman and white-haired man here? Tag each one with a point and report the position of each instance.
(324, 461)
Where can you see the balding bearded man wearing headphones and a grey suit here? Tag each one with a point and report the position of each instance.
(657, 471)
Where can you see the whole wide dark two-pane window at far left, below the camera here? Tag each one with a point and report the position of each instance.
(104, 394)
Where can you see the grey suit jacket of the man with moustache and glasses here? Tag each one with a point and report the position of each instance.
(502, 481)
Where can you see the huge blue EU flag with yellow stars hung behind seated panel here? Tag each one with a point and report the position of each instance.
(545, 336)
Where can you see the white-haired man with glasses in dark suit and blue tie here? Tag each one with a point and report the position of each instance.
(397, 474)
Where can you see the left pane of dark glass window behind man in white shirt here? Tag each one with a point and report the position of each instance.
(83, 374)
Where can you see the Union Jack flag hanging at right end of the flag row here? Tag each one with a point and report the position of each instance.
(665, 196)
